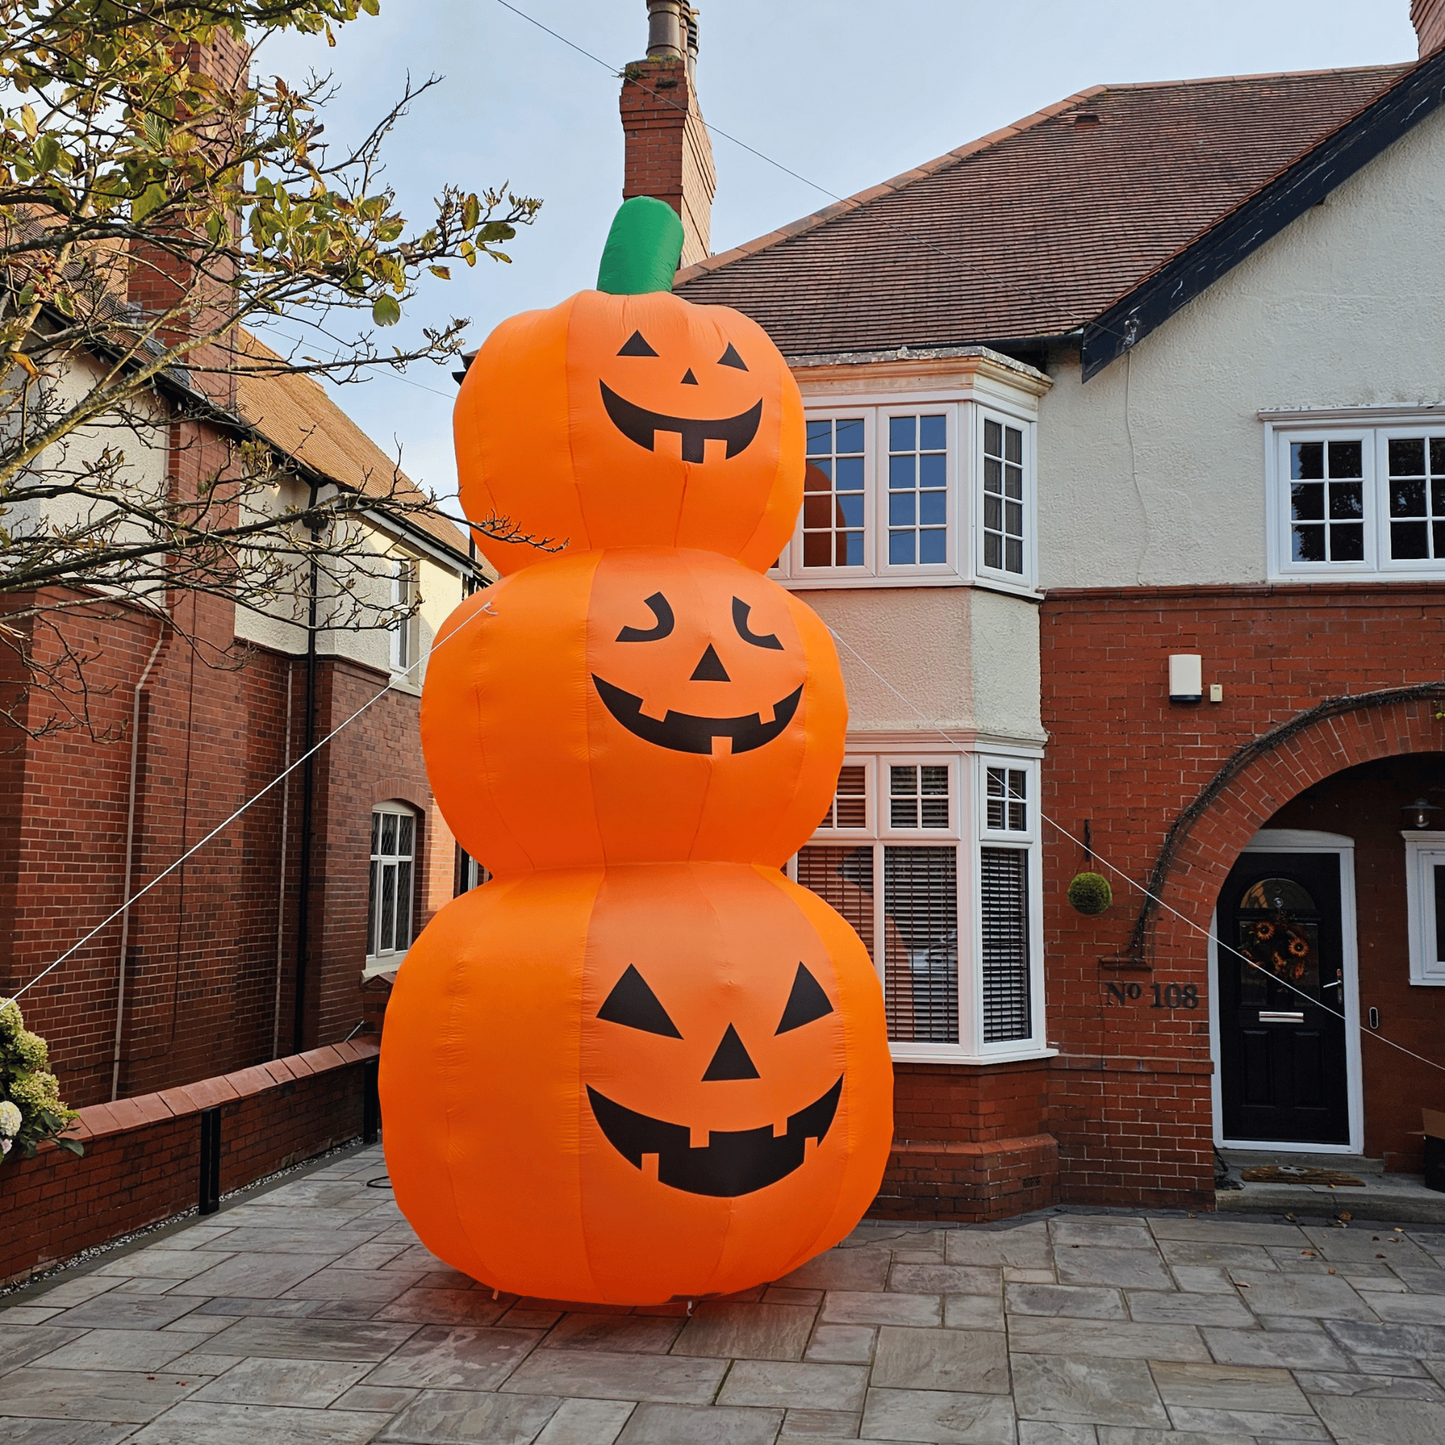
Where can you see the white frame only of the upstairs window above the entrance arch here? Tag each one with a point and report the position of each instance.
(1375, 428)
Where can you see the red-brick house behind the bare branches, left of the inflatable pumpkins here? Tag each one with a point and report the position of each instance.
(256, 947)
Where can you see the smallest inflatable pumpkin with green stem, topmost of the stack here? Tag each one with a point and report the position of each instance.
(628, 417)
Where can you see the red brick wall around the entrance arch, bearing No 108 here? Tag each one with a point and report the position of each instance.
(1128, 762)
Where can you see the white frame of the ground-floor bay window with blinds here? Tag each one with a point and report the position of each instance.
(969, 836)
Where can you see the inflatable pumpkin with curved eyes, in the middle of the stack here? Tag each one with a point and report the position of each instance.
(634, 706)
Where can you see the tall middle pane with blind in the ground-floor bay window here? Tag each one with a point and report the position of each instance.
(921, 944)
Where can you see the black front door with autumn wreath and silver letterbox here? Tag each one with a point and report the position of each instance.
(1282, 1048)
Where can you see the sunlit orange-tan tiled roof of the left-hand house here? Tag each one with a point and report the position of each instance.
(298, 418)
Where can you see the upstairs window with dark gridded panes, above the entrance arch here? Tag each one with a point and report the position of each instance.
(1353, 502)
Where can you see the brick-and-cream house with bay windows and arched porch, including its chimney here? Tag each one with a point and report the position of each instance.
(1126, 506)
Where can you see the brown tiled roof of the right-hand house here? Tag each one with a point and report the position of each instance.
(1040, 228)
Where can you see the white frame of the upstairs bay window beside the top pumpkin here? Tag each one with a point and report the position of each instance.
(965, 415)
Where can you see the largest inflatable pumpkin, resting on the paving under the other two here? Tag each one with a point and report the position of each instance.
(637, 1084)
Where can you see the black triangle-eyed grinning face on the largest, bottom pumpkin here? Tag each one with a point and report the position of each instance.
(733, 1161)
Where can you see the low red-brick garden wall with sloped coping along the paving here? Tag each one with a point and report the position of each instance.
(142, 1158)
